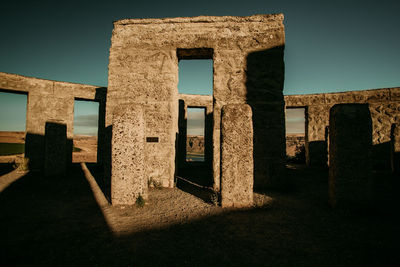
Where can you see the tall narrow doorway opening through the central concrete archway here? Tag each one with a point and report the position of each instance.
(194, 151)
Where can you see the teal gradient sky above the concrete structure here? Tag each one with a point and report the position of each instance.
(331, 46)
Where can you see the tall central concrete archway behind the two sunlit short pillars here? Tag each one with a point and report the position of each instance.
(247, 53)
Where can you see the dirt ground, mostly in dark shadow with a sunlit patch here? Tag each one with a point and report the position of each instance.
(67, 221)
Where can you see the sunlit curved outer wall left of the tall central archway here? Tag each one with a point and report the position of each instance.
(49, 101)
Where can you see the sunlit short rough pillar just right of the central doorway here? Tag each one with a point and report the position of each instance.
(236, 156)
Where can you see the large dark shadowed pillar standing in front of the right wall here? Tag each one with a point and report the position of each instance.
(350, 143)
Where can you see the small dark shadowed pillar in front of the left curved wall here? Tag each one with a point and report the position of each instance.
(55, 148)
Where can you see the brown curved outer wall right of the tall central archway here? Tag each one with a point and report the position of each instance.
(384, 106)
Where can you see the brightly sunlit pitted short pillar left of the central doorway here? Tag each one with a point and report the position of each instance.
(127, 170)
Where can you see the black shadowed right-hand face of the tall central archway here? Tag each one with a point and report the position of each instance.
(265, 76)
